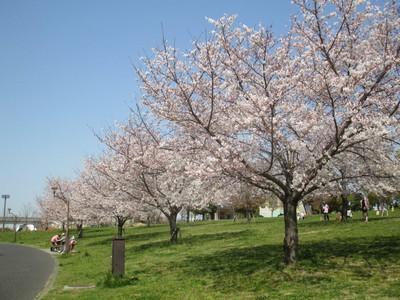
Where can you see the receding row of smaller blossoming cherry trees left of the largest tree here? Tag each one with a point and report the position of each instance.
(139, 175)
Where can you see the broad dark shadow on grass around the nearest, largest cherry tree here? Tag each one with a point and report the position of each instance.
(256, 266)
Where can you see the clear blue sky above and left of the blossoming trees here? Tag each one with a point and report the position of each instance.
(65, 69)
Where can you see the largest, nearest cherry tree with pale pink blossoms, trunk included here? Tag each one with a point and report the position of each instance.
(277, 113)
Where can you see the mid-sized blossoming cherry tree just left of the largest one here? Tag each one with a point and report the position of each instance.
(153, 168)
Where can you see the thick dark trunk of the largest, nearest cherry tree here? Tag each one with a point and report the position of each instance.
(291, 241)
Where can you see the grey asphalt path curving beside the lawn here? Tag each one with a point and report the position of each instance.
(25, 271)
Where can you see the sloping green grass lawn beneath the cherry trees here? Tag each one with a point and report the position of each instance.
(227, 260)
